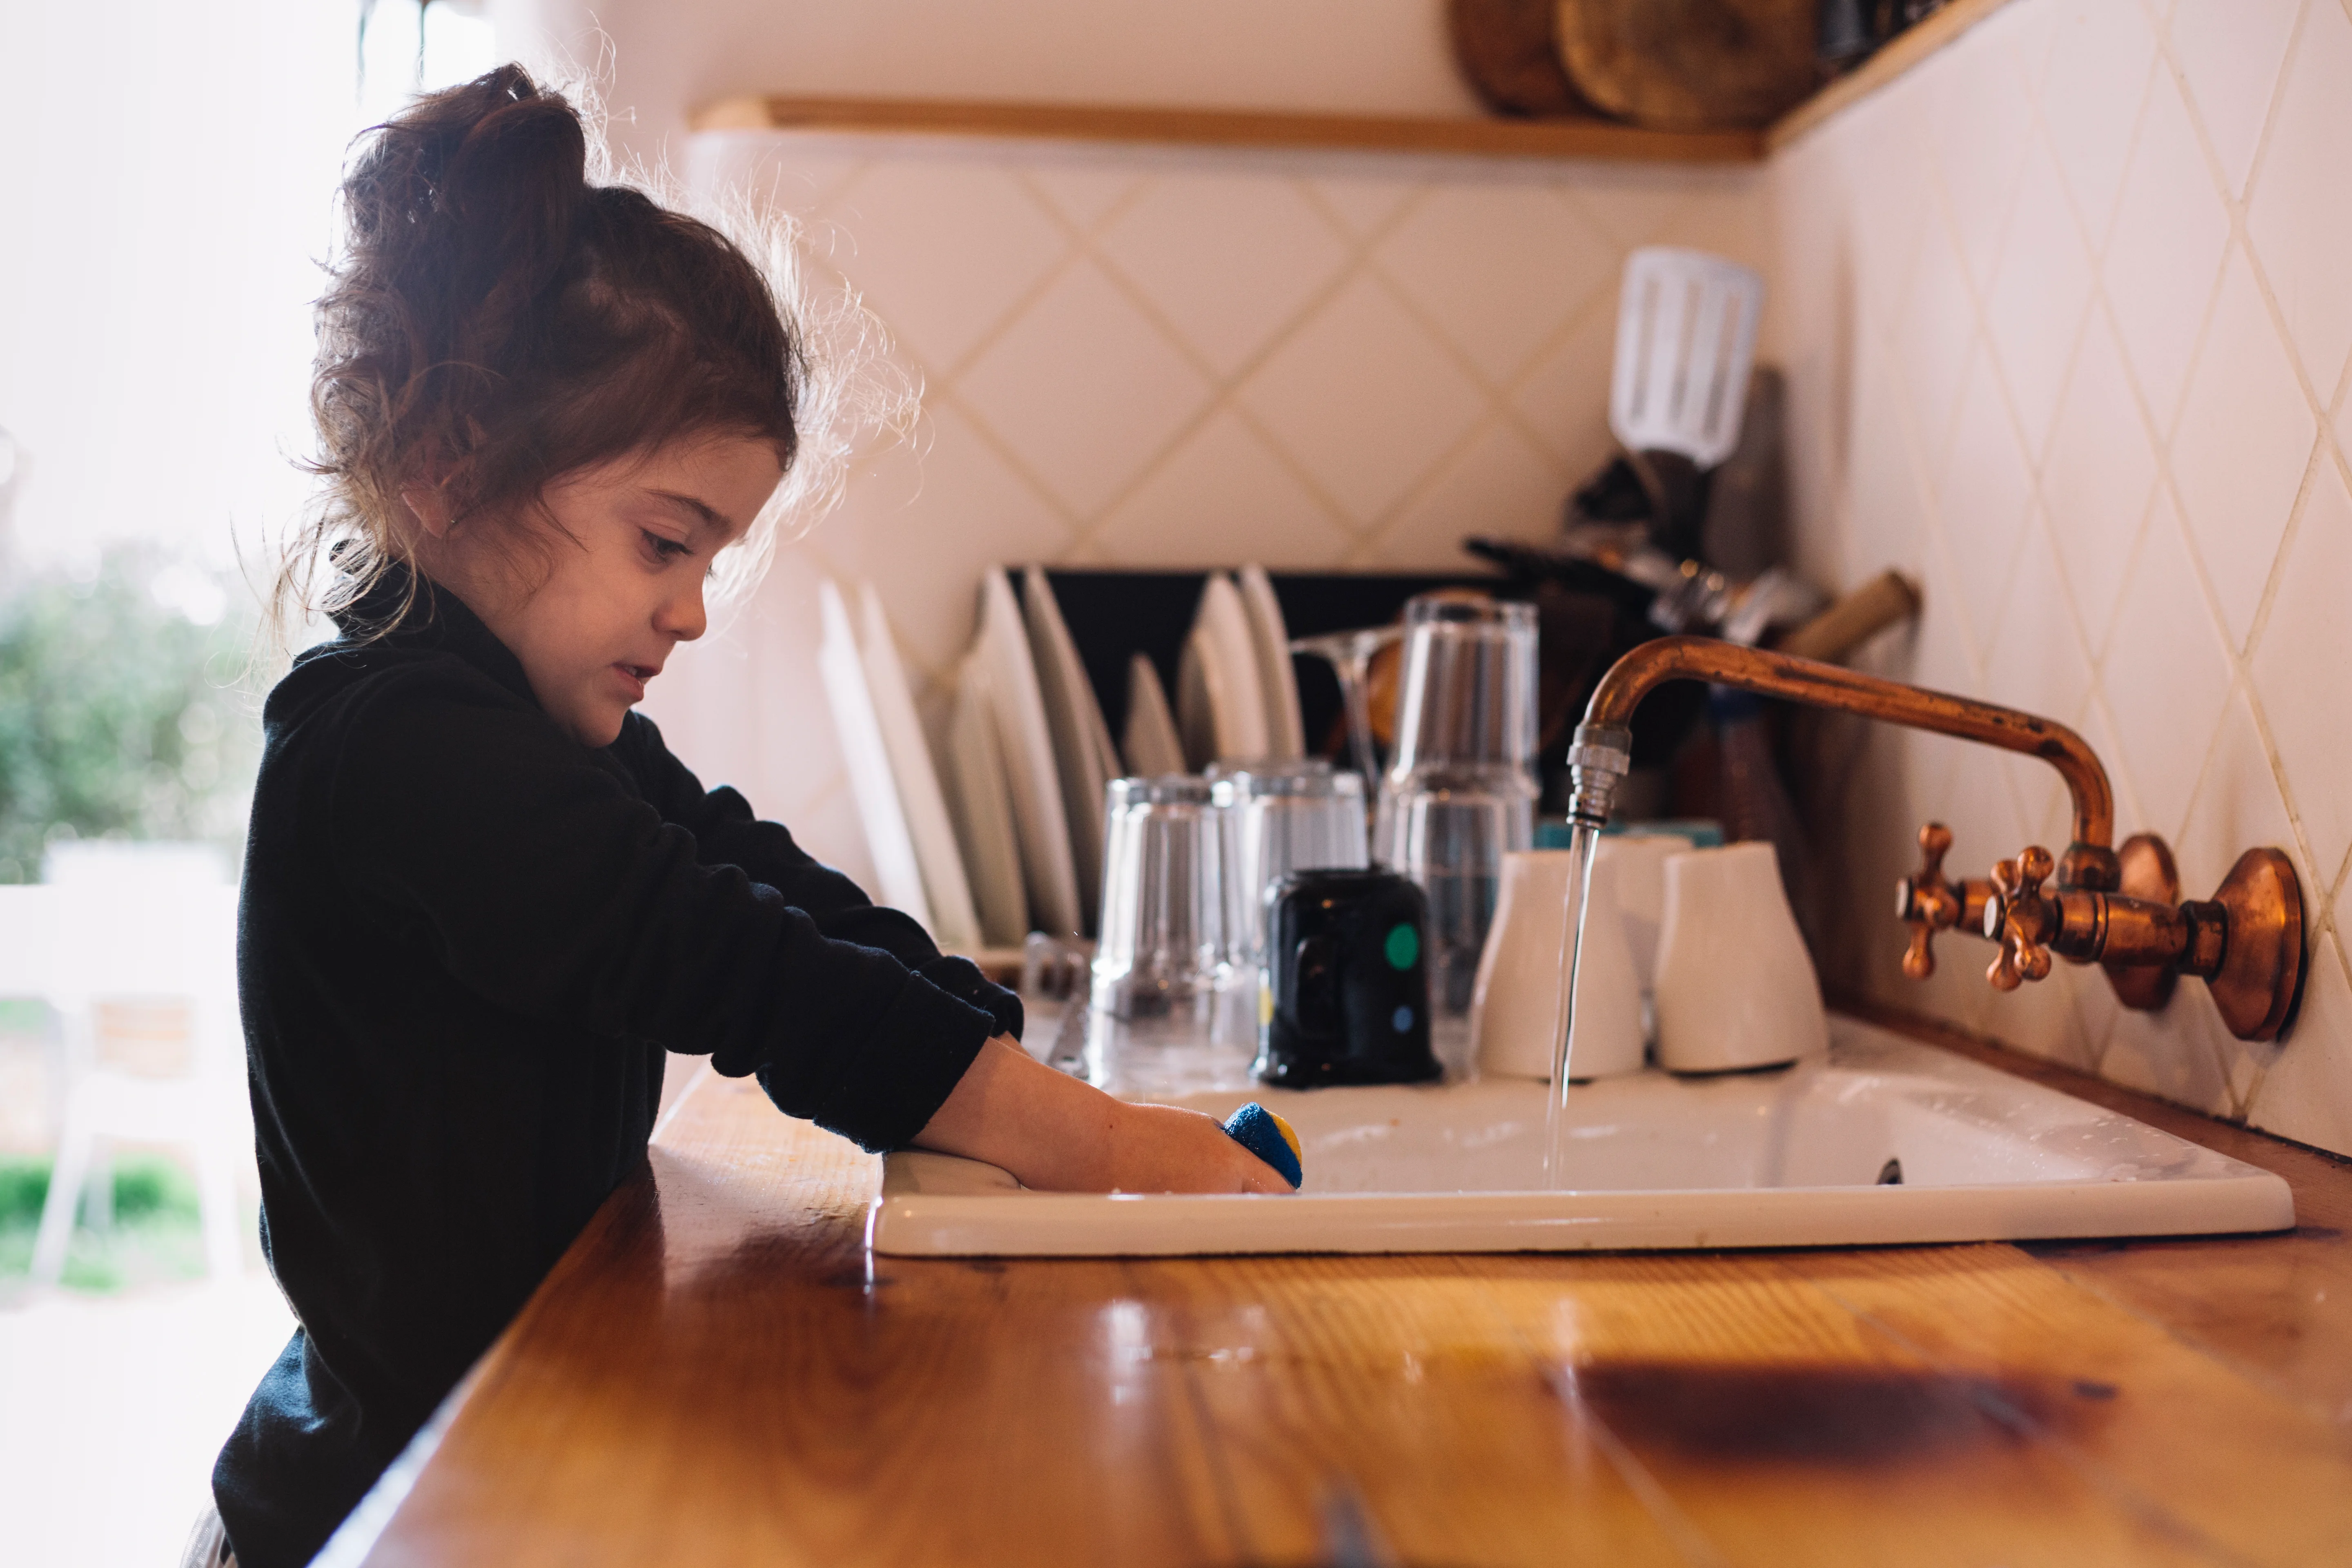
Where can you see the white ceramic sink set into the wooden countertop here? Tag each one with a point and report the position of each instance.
(1885, 1141)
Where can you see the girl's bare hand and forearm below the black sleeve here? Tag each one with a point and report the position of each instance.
(1064, 1137)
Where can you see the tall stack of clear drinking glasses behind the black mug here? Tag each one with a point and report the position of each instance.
(1462, 791)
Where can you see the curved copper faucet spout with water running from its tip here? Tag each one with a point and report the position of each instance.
(1603, 742)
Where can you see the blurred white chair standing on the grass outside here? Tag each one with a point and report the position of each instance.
(168, 949)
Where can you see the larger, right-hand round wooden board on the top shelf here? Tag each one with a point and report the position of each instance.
(1690, 65)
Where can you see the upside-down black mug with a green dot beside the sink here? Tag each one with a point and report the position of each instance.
(1347, 986)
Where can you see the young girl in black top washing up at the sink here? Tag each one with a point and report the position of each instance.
(481, 899)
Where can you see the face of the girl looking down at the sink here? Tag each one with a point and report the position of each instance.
(624, 589)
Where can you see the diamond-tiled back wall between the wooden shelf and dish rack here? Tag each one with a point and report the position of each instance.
(1175, 359)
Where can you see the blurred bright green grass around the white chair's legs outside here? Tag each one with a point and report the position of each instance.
(156, 1235)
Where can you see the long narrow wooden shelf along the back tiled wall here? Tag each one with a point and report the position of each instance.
(1222, 128)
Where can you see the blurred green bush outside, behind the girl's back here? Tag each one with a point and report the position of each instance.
(121, 706)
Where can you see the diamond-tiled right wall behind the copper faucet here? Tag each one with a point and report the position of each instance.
(2069, 340)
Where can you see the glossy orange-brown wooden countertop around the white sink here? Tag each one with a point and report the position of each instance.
(719, 1374)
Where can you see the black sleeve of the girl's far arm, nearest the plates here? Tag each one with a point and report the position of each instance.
(728, 833)
